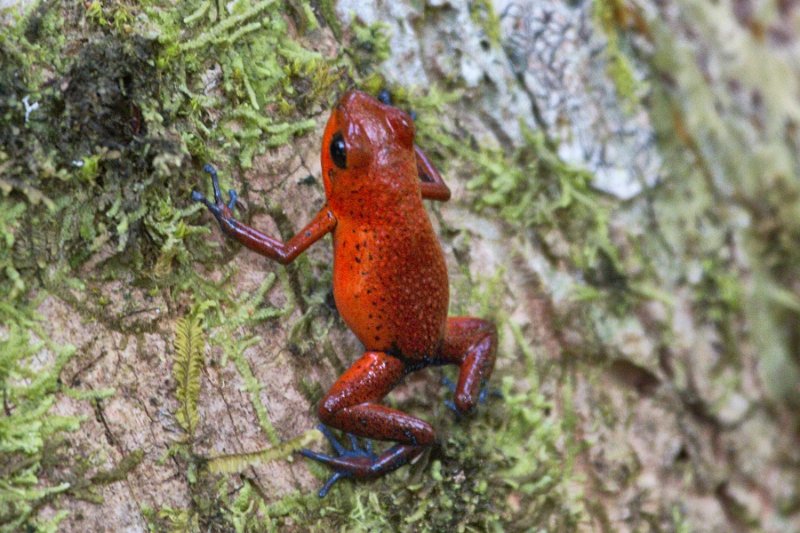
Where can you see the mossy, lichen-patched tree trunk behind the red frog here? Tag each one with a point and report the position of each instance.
(626, 208)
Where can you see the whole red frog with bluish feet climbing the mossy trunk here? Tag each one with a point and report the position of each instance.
(389, 282)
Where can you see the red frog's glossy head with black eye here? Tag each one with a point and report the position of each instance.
(367, 146)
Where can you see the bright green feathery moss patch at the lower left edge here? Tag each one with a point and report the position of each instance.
(36, 465)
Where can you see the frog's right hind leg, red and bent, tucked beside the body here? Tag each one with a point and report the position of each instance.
(470, 343)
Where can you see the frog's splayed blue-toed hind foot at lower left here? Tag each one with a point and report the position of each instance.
(359, 462)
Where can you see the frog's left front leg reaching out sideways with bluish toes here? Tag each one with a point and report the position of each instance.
(276, 250)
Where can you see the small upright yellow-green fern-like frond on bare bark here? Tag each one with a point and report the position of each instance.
(189, 346)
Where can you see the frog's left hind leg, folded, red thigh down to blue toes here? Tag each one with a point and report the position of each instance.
(352, 406)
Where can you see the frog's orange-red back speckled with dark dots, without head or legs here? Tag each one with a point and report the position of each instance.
(390, 280)
